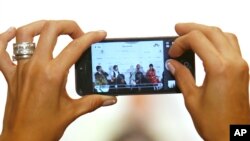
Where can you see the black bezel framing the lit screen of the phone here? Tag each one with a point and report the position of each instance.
(83, 68)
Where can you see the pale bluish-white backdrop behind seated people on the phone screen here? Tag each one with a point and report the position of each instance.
(109, 54)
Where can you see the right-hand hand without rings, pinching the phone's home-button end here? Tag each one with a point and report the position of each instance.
(223, 97)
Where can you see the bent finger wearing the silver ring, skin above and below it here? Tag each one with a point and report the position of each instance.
(27, 33)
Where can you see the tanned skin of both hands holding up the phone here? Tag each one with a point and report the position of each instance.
(39, 108)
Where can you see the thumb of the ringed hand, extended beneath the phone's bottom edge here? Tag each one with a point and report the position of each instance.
(90, 103)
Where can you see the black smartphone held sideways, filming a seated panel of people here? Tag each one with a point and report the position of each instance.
(129, 66)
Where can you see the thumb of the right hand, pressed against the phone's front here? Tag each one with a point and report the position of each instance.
(183, 76)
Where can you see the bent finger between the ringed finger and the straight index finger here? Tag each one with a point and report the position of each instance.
(50, 33)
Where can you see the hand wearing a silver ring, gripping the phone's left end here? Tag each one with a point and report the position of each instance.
(38, 106)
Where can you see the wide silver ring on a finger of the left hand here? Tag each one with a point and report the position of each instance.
(23, 50)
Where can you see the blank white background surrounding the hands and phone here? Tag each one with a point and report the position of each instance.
(168, 118)
